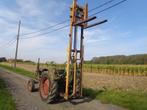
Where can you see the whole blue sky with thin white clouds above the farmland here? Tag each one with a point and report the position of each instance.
(125, 33)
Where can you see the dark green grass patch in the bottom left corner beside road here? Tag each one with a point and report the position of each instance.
(6, 101)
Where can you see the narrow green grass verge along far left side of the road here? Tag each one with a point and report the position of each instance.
(18, 70)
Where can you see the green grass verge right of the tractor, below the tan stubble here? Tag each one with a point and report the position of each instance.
(133, 100)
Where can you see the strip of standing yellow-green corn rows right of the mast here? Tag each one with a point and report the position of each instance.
(138, 70)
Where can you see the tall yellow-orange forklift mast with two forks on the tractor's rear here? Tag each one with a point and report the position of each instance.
(78, 21)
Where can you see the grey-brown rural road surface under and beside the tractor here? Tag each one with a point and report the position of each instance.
(31, 101)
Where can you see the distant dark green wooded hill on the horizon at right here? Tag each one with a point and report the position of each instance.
(120, 59)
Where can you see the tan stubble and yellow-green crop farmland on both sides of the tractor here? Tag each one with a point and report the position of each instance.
(105, 79)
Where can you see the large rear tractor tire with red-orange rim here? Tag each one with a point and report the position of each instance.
(48, 88)
